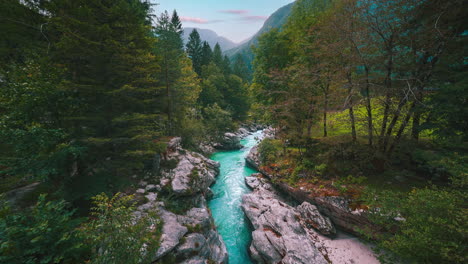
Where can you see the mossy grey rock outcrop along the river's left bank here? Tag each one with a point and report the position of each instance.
(190, 236)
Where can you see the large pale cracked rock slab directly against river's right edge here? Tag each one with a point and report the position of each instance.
(279, 236)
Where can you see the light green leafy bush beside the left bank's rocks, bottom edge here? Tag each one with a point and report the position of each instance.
(117, 235)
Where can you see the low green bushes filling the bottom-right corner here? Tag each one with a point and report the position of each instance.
(431, 226)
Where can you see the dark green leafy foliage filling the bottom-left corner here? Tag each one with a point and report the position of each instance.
(46, 233)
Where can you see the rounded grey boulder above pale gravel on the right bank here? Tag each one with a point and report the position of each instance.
(312, 218)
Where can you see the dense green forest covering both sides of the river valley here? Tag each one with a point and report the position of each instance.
(367, 98)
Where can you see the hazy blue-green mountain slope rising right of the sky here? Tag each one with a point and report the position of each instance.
(276, 20)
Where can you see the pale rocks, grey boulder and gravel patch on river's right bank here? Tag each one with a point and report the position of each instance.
(286, 233)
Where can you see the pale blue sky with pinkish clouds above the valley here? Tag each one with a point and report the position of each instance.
(236, 20)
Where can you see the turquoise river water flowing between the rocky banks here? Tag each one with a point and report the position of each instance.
(225, 205)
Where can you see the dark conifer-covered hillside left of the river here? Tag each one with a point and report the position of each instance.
(91, 92)
